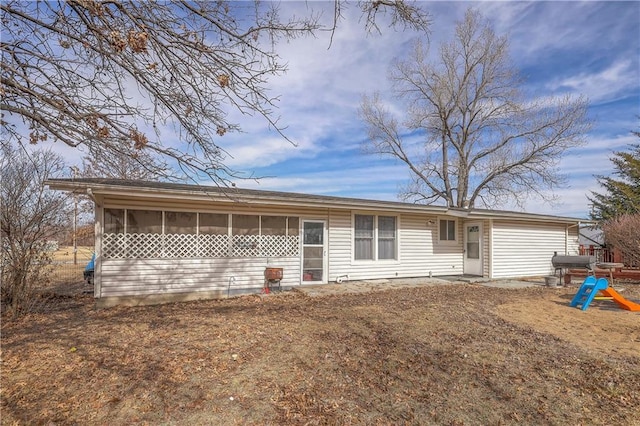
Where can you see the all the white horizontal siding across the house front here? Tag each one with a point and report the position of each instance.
(510, 249)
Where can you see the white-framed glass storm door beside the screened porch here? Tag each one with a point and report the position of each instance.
(313, 252)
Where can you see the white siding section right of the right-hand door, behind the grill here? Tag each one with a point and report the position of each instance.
(525, 249)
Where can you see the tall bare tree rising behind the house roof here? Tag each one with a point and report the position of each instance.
(481, 143)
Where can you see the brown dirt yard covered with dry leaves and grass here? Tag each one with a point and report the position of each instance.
(456, 354)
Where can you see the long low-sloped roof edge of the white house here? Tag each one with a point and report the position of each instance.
(146, 189)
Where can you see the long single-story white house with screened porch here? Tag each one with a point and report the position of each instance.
(165, 241)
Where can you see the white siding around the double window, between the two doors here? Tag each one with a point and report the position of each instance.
(419, 253)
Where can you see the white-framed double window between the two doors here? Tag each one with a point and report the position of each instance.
(375, 242)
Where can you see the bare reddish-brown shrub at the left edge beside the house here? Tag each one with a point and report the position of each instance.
(30, 217)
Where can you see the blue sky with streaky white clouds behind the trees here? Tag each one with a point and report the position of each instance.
(588, 48)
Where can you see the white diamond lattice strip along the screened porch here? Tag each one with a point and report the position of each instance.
(144, 246)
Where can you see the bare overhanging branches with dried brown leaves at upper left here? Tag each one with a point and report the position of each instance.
(111, 74)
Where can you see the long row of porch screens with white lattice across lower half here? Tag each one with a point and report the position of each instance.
(173, 234)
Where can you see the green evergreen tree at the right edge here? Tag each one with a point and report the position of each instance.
(621, 196)
